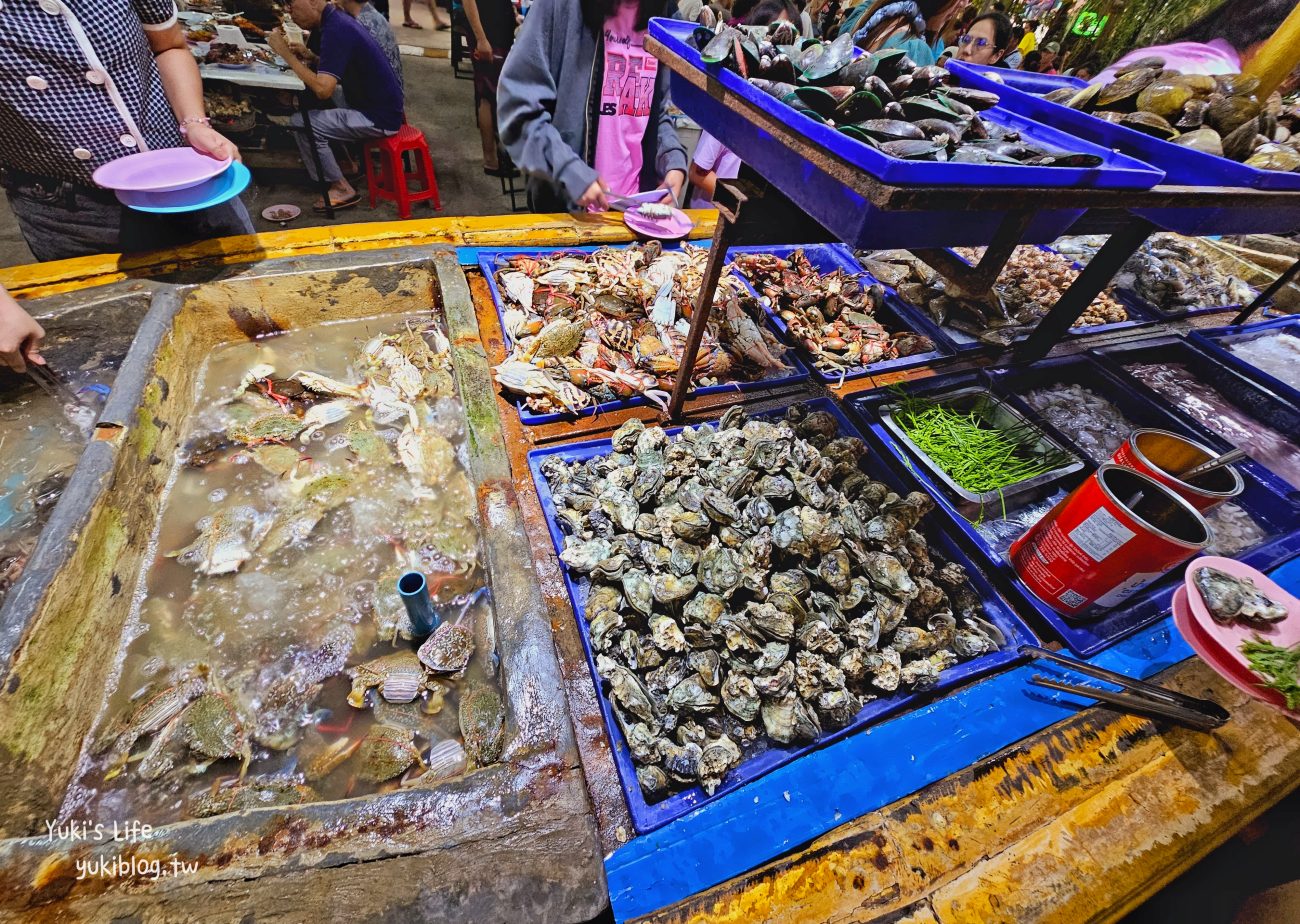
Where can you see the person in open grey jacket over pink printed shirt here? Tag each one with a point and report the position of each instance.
(583, 109)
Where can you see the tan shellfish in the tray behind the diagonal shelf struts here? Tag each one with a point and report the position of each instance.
(1029, 287)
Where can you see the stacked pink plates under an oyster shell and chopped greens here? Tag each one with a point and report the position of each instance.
(1220, 645)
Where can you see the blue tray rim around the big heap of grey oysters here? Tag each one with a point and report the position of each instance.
(648, 817)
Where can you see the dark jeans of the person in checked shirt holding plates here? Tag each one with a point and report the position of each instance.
(63, 220)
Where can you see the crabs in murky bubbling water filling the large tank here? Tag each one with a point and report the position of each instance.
(271, 661)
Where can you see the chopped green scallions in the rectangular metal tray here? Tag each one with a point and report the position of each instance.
(972, 450)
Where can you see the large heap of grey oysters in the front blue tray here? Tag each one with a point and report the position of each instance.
(751, 584)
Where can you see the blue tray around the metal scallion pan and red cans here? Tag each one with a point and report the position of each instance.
(1263, 498)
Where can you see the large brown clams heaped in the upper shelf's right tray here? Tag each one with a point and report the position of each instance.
(1220, 115)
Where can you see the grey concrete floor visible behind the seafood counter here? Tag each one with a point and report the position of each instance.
(437, 103)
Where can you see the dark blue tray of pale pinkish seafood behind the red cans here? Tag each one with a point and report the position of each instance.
(1240, 389)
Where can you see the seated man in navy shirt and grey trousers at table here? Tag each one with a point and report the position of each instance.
(352, 59)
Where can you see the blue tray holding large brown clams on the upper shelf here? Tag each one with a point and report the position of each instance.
(1182, 167)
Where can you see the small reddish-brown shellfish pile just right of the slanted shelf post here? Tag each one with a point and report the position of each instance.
(833, 316)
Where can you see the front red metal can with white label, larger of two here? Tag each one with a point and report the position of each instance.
(1115, 535)
